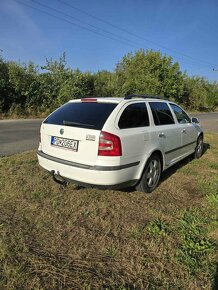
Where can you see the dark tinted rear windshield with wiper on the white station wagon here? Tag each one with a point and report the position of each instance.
(83, 115)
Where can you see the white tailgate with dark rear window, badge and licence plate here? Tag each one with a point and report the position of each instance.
(72, 132)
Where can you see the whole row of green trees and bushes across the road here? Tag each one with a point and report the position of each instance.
(27, 89)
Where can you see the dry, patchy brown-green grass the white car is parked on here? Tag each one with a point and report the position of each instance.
(73, 238)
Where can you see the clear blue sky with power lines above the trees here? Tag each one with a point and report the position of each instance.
(96, 34)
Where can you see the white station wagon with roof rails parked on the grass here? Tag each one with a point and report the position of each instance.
(117, 142)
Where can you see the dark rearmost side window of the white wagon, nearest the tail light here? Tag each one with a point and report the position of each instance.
(135, 115)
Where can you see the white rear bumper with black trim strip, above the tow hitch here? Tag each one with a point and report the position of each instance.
(117, 176)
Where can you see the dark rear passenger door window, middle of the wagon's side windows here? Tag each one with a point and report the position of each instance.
(161, 113)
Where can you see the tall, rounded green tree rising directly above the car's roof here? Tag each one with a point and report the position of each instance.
(148, 72)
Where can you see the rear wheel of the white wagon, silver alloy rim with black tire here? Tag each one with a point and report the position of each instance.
(151, 175)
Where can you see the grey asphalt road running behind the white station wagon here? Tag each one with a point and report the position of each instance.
(22, 135)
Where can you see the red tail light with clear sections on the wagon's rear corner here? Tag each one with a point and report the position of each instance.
(109, 145)
